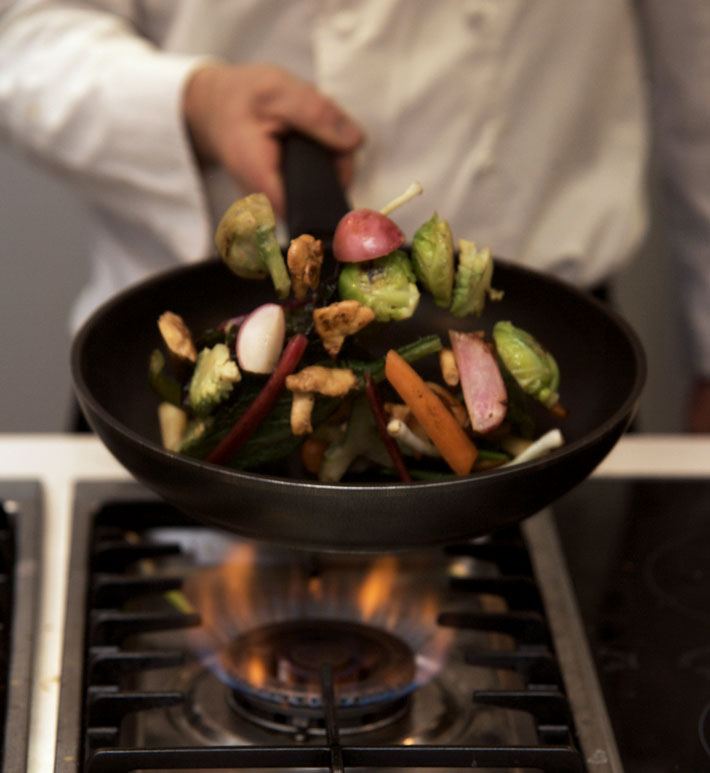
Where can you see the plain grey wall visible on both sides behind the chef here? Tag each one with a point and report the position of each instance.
(43, 262)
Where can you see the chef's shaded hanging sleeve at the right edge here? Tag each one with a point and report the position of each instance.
(677, 36)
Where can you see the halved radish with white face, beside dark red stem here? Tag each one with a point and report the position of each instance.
(261, 339)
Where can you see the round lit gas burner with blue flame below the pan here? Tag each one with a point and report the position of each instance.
(277, 675)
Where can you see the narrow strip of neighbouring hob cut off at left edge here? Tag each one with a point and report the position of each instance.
(20, 529)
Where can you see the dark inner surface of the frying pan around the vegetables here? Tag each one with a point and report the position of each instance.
(599, 361)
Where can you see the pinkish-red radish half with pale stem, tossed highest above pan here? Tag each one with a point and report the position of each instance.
(365, 234)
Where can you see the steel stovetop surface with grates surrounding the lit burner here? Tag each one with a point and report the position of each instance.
(497, 701)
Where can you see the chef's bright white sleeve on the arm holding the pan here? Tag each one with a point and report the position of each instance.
(82, 92)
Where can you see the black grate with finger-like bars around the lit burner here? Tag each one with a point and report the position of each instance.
(109, 542)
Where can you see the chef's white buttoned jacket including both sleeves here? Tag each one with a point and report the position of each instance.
(525, 120)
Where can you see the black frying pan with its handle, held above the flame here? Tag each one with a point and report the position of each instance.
(601, 362)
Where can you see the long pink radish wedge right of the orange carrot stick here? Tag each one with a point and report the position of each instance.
(483, 388)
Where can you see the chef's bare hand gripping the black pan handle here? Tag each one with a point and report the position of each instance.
(236, 113)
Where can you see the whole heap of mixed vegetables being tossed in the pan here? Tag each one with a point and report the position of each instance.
(234, 395)
